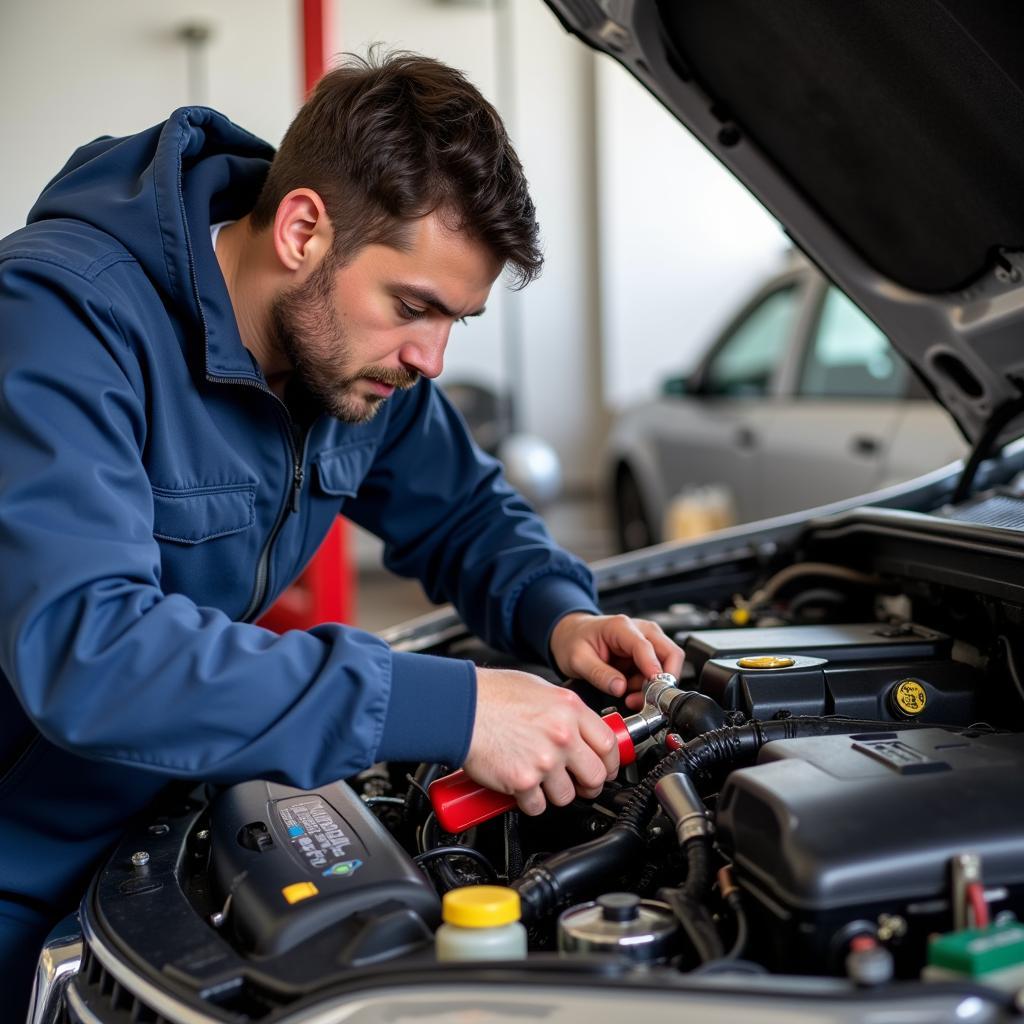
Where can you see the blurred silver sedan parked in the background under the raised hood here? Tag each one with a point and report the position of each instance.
(801, 401)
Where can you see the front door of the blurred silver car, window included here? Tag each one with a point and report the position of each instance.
(710, 436)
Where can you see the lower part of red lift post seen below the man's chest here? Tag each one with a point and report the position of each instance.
(325, 592)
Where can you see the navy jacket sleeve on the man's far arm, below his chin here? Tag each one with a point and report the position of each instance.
(450, 519)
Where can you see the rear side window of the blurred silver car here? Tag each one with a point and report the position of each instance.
(850, 358)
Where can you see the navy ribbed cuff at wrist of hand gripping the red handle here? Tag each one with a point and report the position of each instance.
(431, 710)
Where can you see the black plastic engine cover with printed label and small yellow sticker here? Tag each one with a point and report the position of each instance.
(297, 863)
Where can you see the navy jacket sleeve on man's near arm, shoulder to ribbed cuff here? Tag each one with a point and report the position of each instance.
(108, 665)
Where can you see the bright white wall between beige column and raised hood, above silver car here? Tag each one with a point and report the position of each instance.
(681, 244)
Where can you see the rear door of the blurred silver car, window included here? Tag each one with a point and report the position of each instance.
(831, 437)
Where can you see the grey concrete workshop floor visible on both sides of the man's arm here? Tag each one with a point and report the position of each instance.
(383, 601)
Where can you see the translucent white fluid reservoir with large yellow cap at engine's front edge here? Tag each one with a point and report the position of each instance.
(481, 923)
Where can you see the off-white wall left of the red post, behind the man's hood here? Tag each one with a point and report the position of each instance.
(71, 71)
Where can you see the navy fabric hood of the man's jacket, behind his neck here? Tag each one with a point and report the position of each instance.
(154, 192)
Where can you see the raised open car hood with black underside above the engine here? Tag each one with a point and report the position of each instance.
(888, 139)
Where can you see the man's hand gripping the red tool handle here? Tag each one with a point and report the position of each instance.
(533, 740)
